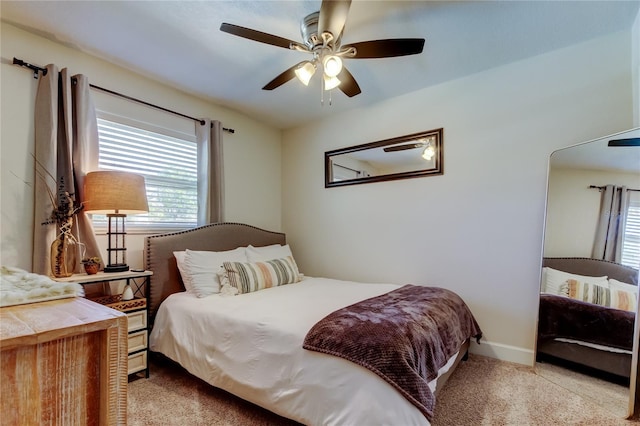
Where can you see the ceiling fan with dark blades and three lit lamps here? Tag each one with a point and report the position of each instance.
(322, 34)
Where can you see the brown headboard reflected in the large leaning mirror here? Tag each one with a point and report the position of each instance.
(593, 268)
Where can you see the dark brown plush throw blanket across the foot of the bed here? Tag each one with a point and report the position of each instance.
(404, 336)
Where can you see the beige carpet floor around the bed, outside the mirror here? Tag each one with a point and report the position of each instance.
(482, 391)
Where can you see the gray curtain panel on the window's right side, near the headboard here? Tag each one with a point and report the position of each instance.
(210, 172)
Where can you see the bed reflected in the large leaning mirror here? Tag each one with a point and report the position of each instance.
(588, 334)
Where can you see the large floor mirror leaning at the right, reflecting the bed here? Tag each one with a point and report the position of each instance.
(589, 290)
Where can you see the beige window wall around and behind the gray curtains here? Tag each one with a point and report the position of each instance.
(251, 155)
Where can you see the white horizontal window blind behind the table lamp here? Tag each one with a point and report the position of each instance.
(169, 166)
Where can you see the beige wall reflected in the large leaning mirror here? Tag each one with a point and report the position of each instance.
(574, 208)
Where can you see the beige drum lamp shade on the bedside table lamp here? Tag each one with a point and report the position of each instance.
(108, 192)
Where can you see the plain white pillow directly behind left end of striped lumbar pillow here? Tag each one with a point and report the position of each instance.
(203, 266)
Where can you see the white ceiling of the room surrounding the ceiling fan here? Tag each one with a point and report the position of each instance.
(179, 43)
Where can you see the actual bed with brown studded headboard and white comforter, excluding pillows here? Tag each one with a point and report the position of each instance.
(251, 345)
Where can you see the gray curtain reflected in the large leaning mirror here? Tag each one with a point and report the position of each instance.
(611, 223)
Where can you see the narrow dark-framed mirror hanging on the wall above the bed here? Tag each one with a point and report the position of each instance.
(415, 155)
